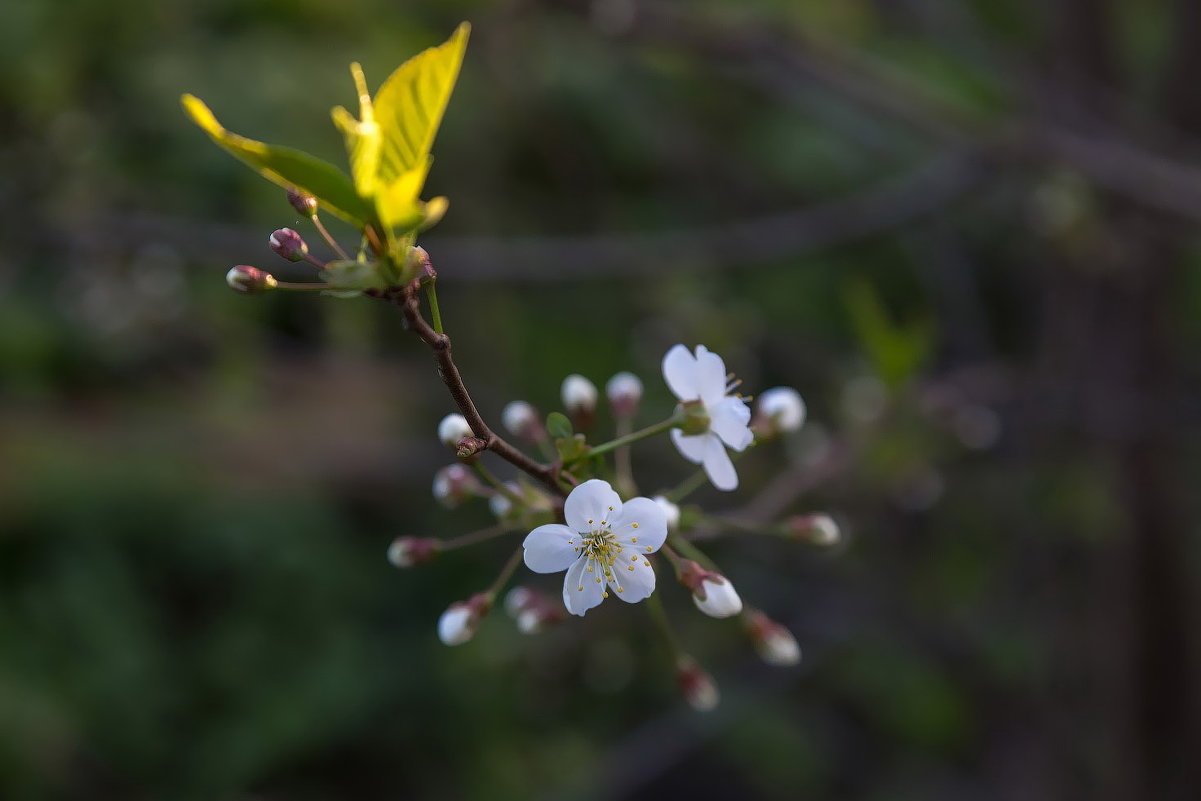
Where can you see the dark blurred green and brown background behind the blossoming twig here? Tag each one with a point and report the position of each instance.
(965, 230)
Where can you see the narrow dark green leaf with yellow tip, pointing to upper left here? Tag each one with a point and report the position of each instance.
(286, 166)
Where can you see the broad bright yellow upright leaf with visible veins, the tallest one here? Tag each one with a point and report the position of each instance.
(410, 105)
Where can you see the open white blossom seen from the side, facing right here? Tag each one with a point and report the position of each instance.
(702, 379)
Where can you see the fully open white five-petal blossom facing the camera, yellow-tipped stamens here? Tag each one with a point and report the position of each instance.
(605, 545)
